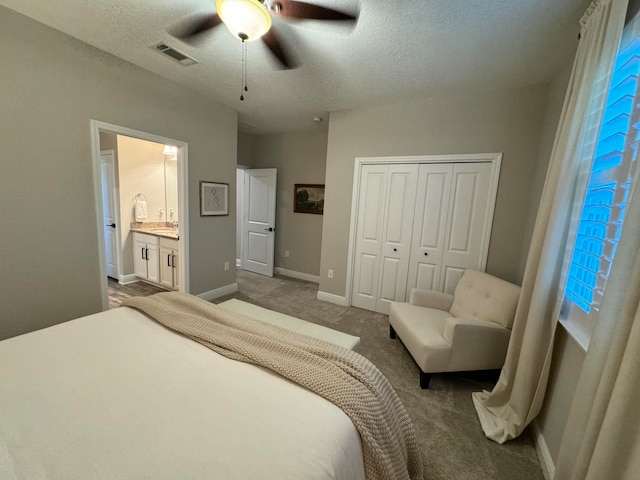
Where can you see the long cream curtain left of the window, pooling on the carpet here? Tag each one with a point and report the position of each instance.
(517, 397)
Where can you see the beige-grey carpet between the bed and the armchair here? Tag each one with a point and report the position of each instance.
(451, 440)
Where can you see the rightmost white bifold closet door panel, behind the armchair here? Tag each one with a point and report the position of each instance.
(469, 222)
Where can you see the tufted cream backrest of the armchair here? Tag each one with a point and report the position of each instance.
(484, 297)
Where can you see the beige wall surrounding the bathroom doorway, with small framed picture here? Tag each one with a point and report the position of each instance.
(50, 89)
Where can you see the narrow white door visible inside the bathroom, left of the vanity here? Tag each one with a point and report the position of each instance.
(108, 179)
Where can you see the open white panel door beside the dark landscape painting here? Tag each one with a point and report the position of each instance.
(259, 220)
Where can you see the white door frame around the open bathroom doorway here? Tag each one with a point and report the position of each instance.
(97, 126)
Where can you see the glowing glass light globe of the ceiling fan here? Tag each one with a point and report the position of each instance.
(246, 19)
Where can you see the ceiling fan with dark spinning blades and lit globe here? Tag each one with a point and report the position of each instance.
(251, 20)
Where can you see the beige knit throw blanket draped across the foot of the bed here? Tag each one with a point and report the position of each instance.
(343, 377)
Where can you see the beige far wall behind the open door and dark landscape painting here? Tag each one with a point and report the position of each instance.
(299, 158)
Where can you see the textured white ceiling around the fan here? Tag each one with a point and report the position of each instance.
(398, 50)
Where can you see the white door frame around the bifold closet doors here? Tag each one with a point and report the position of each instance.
(494, 158)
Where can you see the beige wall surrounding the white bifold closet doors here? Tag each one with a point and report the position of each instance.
(507, 121)
